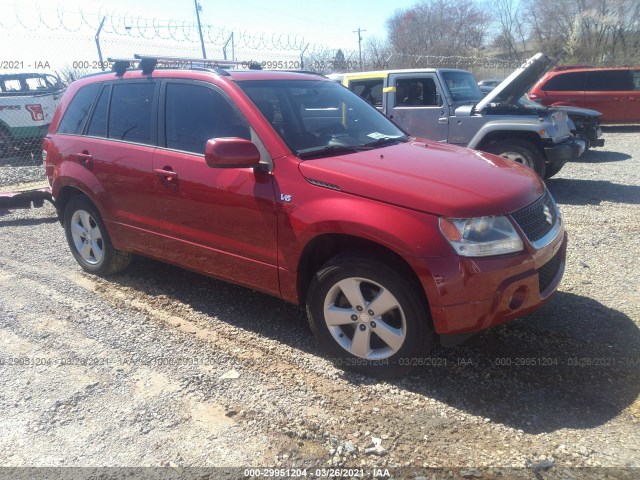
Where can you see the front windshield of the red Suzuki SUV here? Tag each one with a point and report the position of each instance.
(319, 117)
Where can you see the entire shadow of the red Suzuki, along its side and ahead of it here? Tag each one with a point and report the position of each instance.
(572, 364)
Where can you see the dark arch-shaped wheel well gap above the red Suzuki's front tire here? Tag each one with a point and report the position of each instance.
(324, 247)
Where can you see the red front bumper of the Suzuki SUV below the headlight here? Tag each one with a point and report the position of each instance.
(478, 293)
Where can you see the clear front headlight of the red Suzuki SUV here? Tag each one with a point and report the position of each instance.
(482, 236)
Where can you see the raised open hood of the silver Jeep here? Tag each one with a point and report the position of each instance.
(518, 83)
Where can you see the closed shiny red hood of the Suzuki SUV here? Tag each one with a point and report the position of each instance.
(430, 177)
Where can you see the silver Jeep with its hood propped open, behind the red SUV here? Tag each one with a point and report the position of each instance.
(446, 105)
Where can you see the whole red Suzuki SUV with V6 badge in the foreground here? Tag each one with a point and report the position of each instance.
(290, 184)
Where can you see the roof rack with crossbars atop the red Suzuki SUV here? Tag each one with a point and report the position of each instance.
(148, 63)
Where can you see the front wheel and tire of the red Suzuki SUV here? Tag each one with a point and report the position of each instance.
(352, 334)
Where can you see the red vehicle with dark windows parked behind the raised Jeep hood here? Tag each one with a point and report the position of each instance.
(615, 92)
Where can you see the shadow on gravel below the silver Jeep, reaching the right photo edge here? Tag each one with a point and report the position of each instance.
(591, 192)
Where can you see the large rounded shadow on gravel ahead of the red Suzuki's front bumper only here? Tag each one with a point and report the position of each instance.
(573, 364)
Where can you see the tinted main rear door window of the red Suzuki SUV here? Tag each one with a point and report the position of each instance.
(131, 113)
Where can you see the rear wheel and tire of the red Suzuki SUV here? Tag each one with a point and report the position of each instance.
(89, 241)
